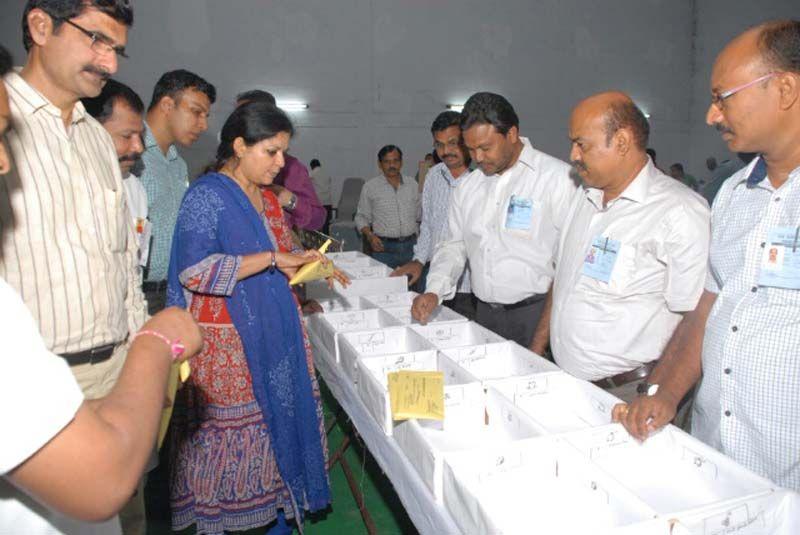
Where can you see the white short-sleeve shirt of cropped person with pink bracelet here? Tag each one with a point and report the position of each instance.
(38, 398)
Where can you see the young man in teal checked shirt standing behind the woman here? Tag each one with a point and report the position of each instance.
(178, 115)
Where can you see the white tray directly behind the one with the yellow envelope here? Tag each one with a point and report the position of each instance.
(394, 341)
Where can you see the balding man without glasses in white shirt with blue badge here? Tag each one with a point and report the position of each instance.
(632, 258)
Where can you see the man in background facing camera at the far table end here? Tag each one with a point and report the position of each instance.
(388, 210)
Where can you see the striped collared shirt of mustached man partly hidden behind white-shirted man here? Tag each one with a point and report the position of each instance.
(436, 196)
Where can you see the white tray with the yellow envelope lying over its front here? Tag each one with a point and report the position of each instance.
(372, 381)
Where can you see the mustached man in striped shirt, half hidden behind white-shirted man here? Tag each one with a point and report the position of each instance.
(437, 192)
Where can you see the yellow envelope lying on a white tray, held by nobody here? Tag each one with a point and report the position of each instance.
(416, 394)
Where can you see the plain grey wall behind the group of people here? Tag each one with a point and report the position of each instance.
(378, 71)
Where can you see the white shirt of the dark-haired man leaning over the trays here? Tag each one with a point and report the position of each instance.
(507, 264)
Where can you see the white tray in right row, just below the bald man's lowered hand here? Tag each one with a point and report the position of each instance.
(498, 360)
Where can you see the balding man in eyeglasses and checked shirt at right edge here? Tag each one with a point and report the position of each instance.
(743, 338)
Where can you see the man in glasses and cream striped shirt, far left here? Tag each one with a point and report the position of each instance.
(68, 245)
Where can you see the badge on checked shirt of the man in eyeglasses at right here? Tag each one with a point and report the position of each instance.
(780, 263)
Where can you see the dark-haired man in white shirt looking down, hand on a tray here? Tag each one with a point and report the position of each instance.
(505, 219)
